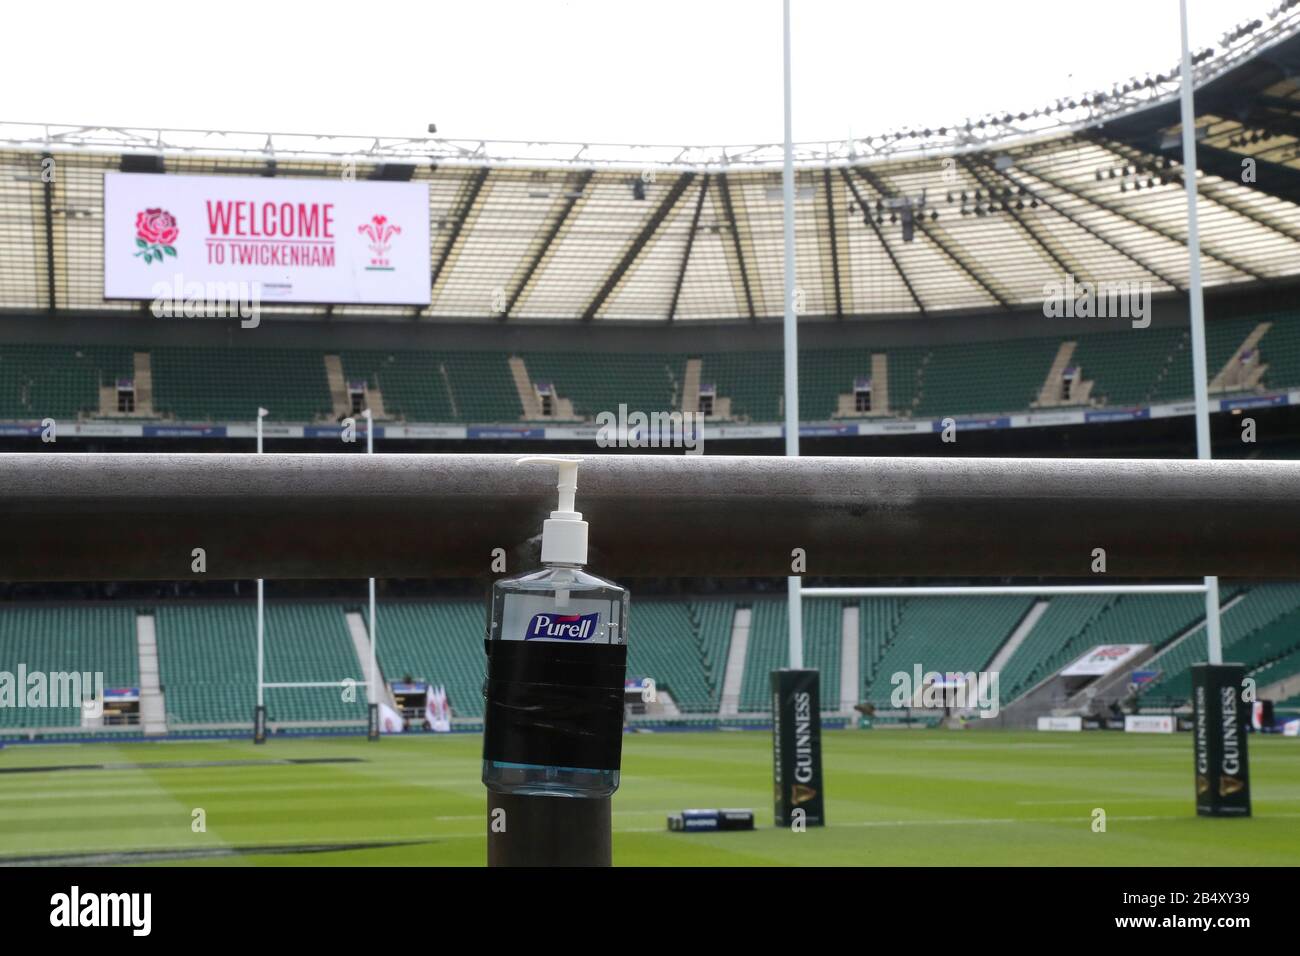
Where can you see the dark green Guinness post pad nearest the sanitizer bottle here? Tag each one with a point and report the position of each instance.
(798, 747)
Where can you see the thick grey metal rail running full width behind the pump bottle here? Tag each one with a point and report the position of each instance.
(141, 517)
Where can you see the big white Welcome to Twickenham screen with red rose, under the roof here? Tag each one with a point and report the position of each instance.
(328, 241)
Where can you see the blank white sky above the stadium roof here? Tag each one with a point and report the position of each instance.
(690, 72)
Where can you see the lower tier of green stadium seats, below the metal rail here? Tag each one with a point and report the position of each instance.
(209, 665)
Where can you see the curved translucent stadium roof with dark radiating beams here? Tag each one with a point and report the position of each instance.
(996, 209)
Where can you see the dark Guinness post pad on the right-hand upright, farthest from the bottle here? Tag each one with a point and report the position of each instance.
(1220, 720)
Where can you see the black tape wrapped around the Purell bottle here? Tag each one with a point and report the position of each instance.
(556, 704)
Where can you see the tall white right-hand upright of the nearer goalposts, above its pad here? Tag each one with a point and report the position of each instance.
(1198, 315)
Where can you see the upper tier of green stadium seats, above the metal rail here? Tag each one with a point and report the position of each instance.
(205, 384)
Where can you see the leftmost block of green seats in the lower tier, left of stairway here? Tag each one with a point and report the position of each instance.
(66, 639)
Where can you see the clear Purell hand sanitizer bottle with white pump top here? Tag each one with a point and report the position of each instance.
(557, 663)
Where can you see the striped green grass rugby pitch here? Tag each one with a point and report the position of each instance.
(894, 798)
